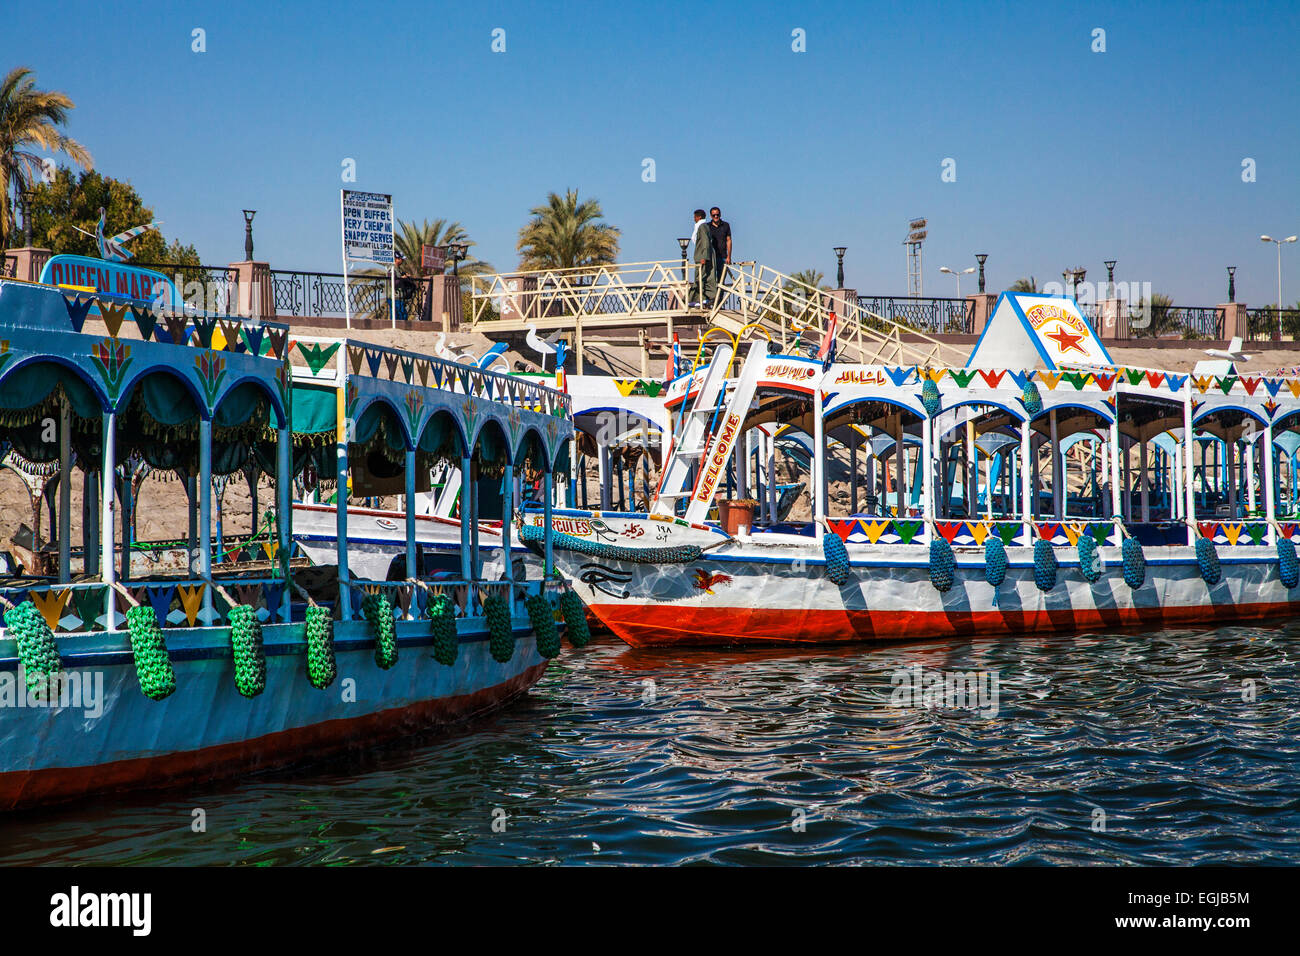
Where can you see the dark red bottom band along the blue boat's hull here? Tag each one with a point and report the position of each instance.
(40, 788)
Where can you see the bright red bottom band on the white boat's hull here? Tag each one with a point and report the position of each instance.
(665, 625)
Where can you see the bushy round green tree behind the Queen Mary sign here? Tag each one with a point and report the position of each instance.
(67, 205)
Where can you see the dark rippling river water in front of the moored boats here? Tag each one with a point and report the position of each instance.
(1177, 747)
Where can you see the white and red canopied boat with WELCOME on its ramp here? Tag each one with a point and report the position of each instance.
(1042, 487)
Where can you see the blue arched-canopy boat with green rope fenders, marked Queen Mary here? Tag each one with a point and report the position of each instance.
(103, 386)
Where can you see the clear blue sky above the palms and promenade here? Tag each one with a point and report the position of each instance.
(1063, 157)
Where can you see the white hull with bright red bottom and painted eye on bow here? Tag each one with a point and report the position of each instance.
(749, 598)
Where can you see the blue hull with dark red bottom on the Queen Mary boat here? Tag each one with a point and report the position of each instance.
(116, 739)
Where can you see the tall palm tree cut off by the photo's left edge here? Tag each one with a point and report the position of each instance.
(31, 118)
